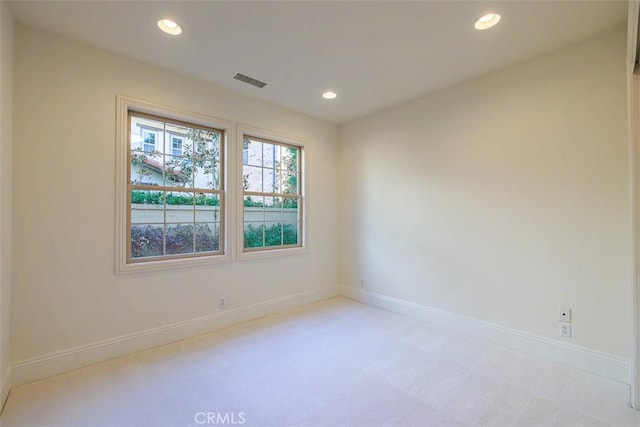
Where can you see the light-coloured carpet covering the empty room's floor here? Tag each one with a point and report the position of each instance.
(333, 363)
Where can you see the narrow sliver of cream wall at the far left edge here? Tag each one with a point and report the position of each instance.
(6, 125)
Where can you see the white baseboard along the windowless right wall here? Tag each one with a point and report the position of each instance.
(595, 362)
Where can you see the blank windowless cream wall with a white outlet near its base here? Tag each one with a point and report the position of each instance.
(501, 199)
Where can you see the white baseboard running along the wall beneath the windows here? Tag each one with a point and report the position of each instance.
(58, 362)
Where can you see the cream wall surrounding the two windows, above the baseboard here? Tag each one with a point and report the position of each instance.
(65, 293)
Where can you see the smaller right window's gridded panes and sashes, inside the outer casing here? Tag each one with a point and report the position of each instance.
(272, 195)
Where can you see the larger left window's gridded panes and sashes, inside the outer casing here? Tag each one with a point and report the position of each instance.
(175, 189)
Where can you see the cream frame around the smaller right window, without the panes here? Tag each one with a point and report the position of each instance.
(272, 251)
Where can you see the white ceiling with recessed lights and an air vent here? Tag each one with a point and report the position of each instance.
(373, 54)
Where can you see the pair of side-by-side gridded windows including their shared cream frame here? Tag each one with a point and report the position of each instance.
(173, 176)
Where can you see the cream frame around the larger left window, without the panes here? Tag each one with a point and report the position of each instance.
(124, 105)
